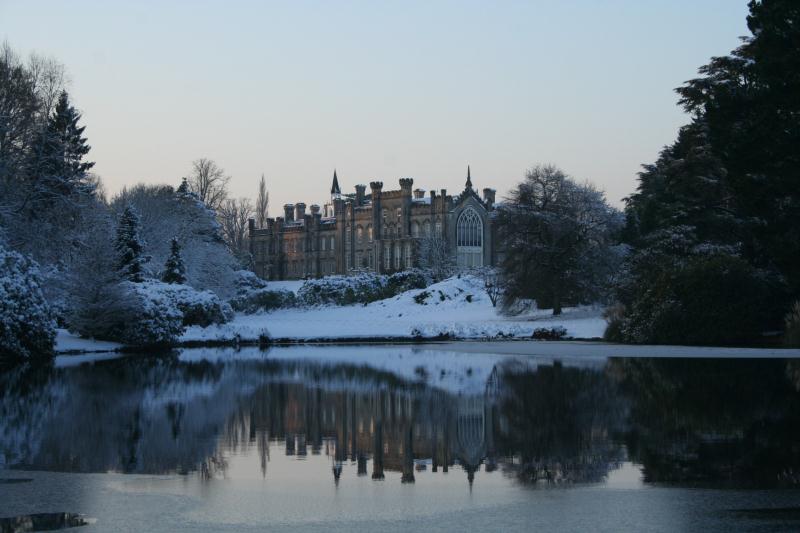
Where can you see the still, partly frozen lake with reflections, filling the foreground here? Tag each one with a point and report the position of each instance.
(401, 438)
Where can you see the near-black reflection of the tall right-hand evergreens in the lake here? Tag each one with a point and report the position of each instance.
(714, 420)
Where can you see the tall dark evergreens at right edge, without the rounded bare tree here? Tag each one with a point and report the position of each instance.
(713, 224)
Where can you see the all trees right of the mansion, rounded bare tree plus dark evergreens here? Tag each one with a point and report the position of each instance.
(708, 250)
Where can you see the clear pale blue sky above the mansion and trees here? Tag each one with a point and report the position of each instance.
(379, 90)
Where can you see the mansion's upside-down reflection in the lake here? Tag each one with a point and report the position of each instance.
(403, 429)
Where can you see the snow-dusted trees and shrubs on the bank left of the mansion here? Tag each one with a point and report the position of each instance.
(137, 268)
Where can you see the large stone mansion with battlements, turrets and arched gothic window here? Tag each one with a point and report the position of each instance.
(378, 231)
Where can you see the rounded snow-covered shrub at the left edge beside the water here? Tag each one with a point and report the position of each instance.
(27, 327)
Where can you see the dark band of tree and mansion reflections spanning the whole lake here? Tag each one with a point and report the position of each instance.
(683, 420)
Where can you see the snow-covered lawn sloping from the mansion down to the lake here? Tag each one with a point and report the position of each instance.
(457, 306)
